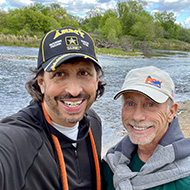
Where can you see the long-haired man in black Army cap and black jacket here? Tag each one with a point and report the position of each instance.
(55, 142)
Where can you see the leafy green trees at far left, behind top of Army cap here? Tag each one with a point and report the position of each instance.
(35, 19)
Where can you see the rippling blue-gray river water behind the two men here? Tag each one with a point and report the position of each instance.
(14, 72)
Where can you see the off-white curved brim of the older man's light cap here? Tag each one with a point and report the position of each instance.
(153, 94)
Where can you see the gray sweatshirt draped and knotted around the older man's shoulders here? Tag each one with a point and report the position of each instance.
(169, 162)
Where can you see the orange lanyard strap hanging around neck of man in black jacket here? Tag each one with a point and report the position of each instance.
(61, 158)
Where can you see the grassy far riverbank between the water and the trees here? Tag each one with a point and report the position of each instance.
(128, 47)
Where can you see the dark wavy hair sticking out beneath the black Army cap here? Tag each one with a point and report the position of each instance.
(34, 90)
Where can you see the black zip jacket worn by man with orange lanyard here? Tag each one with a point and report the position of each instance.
(28, 158)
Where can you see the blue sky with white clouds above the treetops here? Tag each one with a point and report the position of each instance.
(180, 8)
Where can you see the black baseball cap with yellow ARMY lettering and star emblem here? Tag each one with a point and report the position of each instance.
(59, 45)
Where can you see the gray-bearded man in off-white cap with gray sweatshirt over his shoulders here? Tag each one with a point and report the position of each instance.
(154, 154)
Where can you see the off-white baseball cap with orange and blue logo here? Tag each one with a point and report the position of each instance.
(150, 81)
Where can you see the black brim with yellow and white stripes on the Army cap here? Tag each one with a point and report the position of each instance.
(55, 62)
